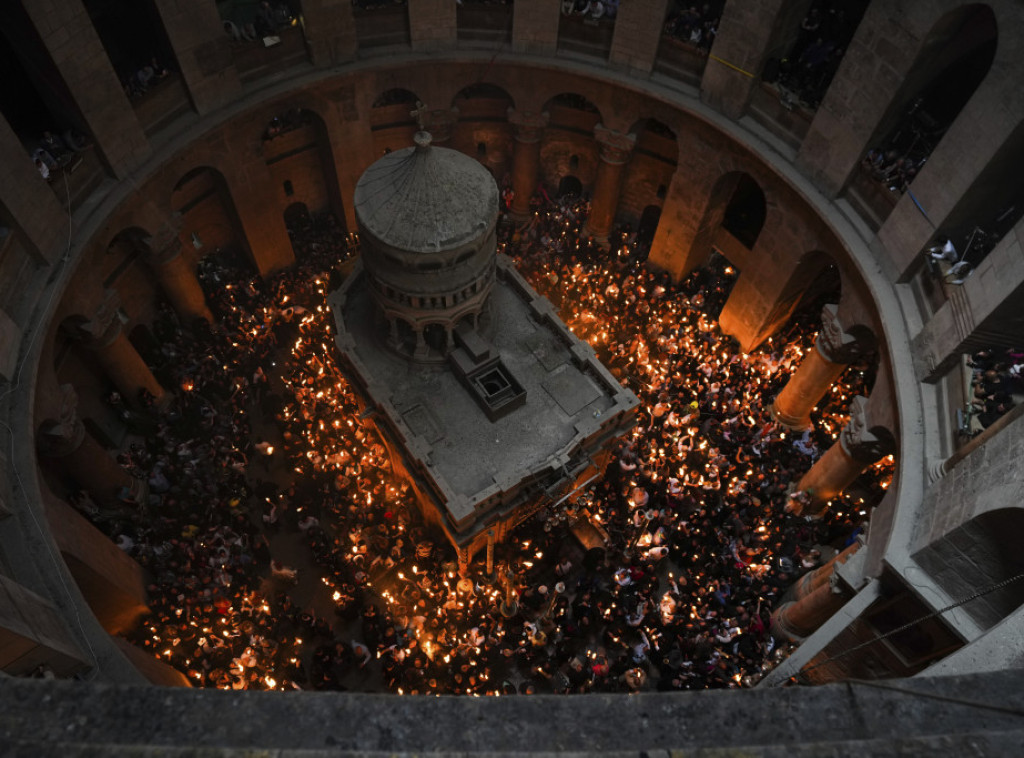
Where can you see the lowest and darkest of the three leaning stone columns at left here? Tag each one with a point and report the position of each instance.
(67, 443)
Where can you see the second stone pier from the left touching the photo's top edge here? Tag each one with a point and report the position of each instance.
(203, 52)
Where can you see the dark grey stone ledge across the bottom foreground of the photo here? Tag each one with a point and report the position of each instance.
(49, 717)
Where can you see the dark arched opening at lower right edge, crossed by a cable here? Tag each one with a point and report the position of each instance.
(980, 553)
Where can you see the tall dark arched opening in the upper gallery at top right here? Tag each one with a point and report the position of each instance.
(951, 65)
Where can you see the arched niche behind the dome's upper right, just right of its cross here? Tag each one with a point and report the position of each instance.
(483, 110)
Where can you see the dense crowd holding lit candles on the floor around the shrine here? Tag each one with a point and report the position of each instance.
(283, 553)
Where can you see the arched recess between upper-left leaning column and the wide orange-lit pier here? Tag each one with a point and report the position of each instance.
(203, 199)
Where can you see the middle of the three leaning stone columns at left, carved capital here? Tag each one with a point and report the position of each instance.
(119, 359)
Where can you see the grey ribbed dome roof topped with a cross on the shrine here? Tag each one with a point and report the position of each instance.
(426, 199)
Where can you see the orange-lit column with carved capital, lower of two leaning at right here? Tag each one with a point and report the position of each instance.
(860, 446)
